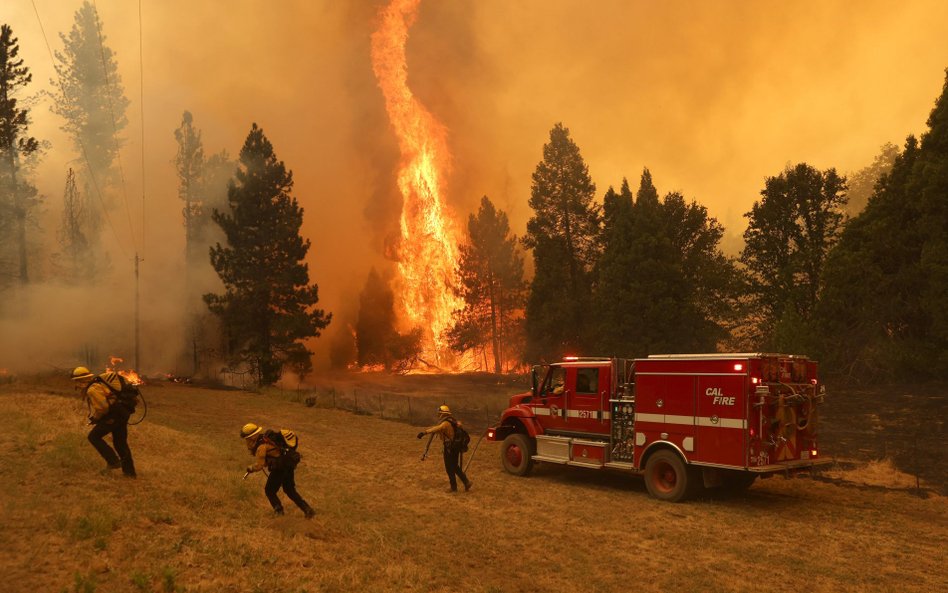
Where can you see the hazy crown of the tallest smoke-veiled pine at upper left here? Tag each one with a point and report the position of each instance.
(90, 97)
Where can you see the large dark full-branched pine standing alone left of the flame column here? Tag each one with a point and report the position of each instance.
(268, 306)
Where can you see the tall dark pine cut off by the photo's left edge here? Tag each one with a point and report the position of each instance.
(17, 196)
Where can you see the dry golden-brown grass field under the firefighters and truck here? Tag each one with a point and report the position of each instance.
(384, 523)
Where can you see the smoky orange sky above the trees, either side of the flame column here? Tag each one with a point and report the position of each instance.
(711, 96)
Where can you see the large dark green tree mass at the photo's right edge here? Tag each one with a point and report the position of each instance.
(882, 313)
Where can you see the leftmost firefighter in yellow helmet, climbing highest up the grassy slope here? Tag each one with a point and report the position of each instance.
(108, 415)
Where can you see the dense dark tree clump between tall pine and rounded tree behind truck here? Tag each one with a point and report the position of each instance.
(663, 284)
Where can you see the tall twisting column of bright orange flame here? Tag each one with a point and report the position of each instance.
(427, 252)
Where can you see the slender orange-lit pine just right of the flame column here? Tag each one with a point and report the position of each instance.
(491, 273)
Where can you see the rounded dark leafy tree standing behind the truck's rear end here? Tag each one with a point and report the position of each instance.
(790, 231)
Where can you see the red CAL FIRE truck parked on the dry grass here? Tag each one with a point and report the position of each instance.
(684, 422)
